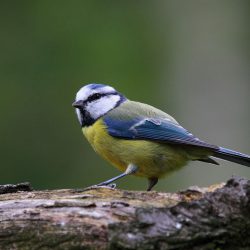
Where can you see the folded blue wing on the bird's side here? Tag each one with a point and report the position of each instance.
(156, 129)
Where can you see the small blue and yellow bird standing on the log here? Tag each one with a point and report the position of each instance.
(140, 139)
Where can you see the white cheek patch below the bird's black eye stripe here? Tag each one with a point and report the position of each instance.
(102, 106)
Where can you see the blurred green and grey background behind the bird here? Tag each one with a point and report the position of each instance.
(188, 58)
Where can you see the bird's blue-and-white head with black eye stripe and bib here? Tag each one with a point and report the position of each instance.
(95, 100)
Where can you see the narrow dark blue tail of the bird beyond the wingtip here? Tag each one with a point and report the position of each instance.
(234, 156)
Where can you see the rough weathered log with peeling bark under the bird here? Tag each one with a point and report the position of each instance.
(217, 217)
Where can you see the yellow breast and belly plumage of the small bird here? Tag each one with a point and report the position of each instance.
(152, 159)
